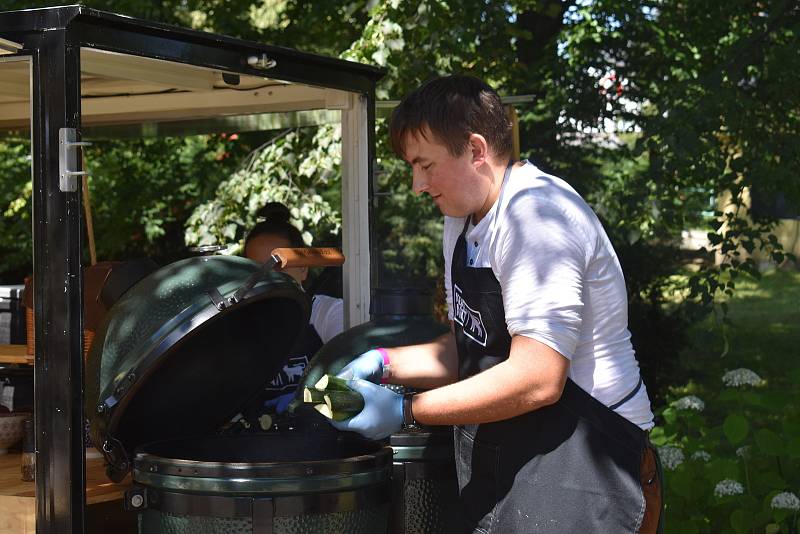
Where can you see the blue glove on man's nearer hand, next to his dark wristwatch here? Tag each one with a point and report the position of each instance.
(382, 415)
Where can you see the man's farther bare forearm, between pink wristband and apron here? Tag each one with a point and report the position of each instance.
(427, 365)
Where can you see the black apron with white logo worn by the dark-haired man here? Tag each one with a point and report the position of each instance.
(573, 466)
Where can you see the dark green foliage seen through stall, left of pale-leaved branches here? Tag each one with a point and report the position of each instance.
(144, 190)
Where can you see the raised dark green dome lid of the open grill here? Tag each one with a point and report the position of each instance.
(167, 363)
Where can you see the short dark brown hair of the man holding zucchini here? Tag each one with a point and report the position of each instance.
(452, 108)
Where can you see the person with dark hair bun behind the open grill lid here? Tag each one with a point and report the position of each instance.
(327, 313)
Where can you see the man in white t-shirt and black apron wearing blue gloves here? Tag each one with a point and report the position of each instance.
(538, 376)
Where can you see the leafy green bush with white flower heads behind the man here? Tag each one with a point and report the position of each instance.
(727, 457)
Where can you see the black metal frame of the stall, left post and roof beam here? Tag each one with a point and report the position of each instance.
(52, 37)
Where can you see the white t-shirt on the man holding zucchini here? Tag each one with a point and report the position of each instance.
(561, 282)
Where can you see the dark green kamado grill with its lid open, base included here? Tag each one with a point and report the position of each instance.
(181, 353)
